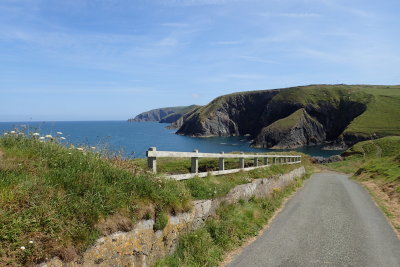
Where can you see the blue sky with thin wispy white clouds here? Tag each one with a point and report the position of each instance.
(111, 59)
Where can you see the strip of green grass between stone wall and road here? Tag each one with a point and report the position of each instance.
(232, 226)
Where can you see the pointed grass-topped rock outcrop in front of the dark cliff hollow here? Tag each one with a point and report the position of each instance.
(297, 130)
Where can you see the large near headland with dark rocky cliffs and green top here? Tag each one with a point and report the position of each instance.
(337, 116)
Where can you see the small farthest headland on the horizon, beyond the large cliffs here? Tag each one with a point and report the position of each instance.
(163, 115)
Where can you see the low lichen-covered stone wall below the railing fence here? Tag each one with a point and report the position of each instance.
(142, 246)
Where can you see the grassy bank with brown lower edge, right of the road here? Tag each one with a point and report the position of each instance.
(376, 165)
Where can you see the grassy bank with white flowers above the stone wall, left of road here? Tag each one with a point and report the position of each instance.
(56, 201)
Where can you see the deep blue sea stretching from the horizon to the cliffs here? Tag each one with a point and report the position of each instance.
(132, 139)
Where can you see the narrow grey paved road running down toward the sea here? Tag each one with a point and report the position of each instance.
(331, 221)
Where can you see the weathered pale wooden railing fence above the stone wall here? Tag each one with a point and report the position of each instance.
(268, 160)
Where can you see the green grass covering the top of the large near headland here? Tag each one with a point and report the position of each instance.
(380, 117)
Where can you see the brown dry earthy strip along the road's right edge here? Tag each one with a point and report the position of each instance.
(387, 199)
